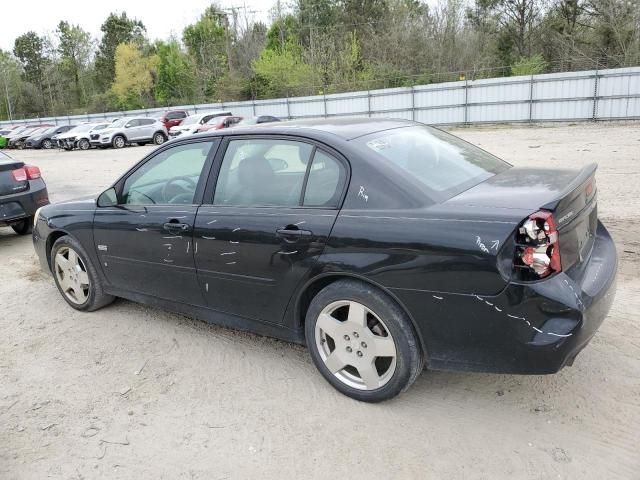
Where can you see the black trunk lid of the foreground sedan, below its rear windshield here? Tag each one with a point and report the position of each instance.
(517, 188)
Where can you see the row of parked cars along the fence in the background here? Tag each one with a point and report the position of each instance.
(121, 132)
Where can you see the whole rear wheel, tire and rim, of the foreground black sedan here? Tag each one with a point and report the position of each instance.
(387, 330)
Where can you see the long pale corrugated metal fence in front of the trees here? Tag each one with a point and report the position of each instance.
(573, 96)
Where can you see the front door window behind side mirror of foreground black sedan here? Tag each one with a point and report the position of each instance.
(171, 177)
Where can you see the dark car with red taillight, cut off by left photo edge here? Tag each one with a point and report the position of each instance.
(22, 192)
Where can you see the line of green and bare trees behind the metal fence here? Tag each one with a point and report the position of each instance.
(311, 47)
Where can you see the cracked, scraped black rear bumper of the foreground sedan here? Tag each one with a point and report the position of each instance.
(534, 328)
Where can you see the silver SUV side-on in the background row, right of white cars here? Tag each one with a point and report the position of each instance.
(140, 130)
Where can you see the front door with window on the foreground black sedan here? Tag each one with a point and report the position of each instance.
(145, 242)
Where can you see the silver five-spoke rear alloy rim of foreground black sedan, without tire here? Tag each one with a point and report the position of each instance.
(355, 345)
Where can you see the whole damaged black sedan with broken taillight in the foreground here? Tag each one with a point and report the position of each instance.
(383, 245)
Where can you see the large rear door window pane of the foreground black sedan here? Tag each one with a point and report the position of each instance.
(261, 172)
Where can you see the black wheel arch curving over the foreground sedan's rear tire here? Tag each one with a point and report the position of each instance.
(317, 283)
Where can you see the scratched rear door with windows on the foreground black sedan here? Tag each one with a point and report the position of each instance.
(273, 207)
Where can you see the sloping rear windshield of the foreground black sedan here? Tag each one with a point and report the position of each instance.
(443, 164)
